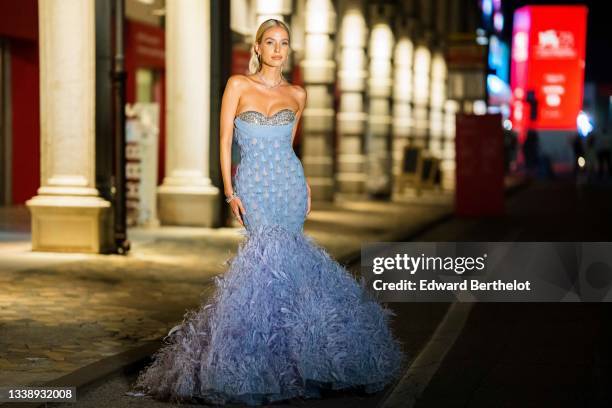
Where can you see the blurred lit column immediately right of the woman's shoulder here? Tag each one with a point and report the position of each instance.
(319, 70)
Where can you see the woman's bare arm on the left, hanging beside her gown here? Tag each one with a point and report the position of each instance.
(229, 105)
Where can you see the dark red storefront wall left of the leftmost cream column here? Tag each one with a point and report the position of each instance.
(20, 100)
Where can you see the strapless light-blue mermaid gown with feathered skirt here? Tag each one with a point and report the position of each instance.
(286, 320)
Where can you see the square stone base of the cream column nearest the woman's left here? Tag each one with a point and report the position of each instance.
(188, 206)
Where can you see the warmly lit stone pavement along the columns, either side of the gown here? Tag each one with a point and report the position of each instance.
(62, 312)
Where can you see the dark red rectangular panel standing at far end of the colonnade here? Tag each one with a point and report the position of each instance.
(479, 152)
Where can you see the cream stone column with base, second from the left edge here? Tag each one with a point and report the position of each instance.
(187, 196)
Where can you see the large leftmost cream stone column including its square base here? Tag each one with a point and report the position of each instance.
(68, 213)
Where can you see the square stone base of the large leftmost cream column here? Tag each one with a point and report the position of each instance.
(71, 224)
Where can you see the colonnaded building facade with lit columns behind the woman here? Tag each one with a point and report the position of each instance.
(376, 74)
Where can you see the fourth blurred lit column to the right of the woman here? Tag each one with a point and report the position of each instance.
(402, 94)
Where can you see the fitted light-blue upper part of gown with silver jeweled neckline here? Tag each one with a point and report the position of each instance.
(270, 178)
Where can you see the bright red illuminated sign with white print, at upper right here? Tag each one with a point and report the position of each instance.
(547, 72)
